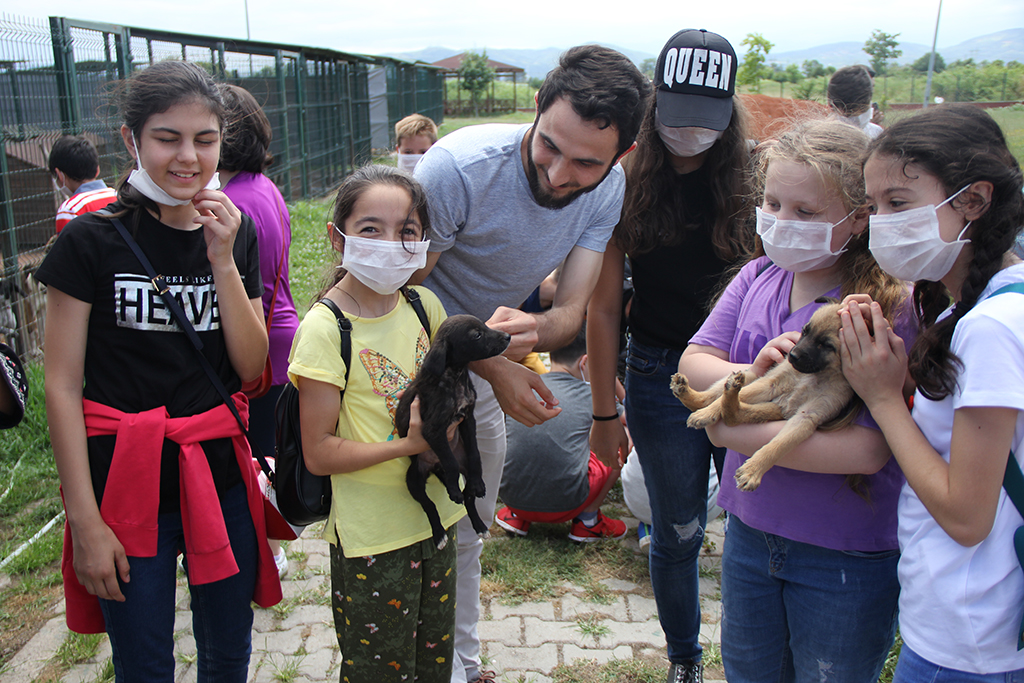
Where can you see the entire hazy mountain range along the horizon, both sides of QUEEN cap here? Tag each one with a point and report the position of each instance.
(1007, 46)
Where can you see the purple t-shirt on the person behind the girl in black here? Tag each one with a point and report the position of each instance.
(259, 198)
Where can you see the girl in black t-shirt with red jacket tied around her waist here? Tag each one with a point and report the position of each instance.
(148, 417)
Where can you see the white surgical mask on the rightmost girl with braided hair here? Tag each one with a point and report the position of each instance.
(908, 245)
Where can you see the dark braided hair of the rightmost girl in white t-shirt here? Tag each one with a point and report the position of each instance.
(959, 145)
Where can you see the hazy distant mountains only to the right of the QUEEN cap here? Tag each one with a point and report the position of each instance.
(1007, 46)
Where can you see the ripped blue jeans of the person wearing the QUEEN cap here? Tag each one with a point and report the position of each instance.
(675, 460)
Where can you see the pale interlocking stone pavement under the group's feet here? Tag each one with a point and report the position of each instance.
(295, 641)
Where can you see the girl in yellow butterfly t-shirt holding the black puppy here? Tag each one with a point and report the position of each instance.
(394, 591)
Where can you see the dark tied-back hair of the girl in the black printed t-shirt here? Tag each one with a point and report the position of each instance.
(154, 91)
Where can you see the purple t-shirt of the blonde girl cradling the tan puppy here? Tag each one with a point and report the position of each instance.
(819, 509)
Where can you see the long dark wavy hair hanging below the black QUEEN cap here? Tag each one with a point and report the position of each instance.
(655, 215)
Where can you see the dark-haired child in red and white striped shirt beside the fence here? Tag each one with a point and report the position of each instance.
(75, 166)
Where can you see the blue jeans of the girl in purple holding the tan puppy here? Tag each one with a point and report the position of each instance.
(794, 612)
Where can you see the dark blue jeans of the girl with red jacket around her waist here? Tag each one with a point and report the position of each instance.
(142, 628)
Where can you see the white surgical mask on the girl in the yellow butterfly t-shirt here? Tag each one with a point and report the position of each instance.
(382, 266)
